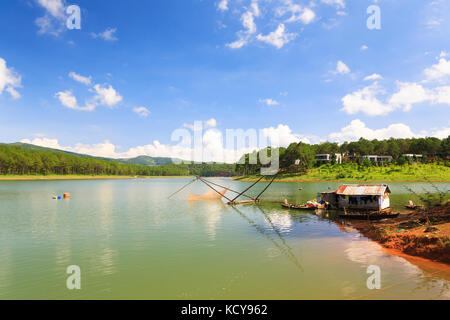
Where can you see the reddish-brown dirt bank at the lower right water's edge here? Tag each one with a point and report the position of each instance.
(423, 234)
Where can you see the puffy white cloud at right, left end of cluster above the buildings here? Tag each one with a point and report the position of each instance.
(365, 100)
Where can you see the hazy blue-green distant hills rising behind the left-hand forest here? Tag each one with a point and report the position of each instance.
(140, 160)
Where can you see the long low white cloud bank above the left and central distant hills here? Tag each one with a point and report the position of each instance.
(212, 147)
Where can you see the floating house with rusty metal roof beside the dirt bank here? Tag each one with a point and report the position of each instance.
(359, 197)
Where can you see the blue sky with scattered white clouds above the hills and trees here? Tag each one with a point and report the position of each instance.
(300, 70)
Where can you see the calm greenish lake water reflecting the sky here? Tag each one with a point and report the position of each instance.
(131, 242)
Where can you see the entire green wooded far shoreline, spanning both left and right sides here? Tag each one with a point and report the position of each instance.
(297, 162)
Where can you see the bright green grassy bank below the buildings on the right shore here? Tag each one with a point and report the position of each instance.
(352, 172)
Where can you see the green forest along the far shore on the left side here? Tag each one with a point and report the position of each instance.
(17, 160)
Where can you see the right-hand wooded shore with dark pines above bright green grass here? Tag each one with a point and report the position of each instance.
(418, 159)
